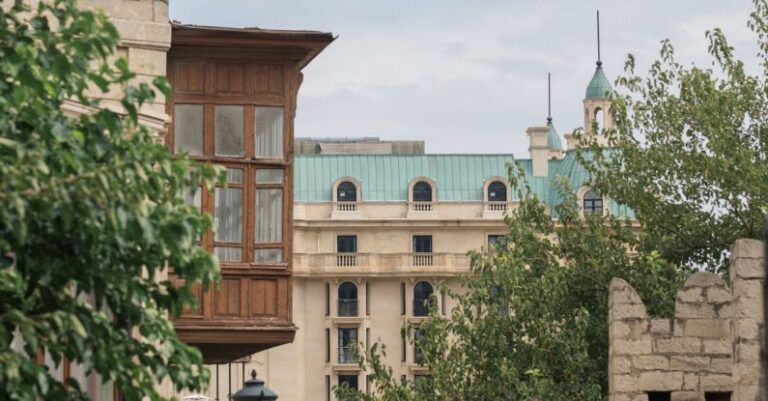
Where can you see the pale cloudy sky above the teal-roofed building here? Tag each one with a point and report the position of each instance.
(470, 76)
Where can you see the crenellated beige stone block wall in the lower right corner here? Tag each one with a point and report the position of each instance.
(711, 345)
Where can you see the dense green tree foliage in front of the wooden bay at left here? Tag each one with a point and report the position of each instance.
(91, 216)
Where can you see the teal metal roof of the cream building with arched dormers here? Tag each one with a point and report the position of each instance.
(457, 177)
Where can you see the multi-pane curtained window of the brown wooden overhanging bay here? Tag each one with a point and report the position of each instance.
(248, 140)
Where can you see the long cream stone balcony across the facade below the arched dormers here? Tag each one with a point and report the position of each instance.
(379, 263)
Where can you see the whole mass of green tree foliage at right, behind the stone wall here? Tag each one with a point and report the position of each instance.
(688, 155)
